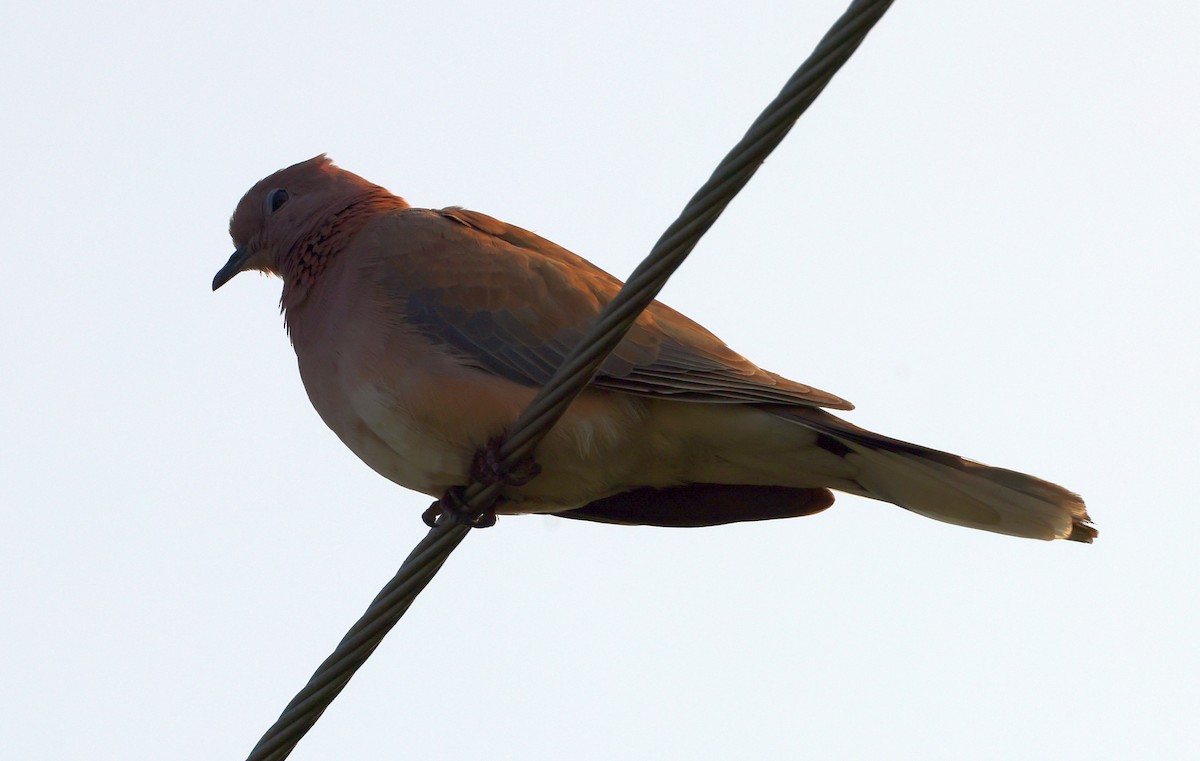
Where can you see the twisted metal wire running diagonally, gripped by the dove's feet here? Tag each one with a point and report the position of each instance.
(577, 371)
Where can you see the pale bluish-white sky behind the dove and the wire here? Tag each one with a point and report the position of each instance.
(985, 235)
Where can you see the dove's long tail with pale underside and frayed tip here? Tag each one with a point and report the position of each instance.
(947, 488)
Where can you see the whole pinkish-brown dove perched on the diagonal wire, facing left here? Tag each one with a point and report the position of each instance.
(422, 334)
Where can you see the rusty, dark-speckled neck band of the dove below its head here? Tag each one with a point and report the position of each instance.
(302, 267)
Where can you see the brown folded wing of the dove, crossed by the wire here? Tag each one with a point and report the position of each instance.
(515, 304)
